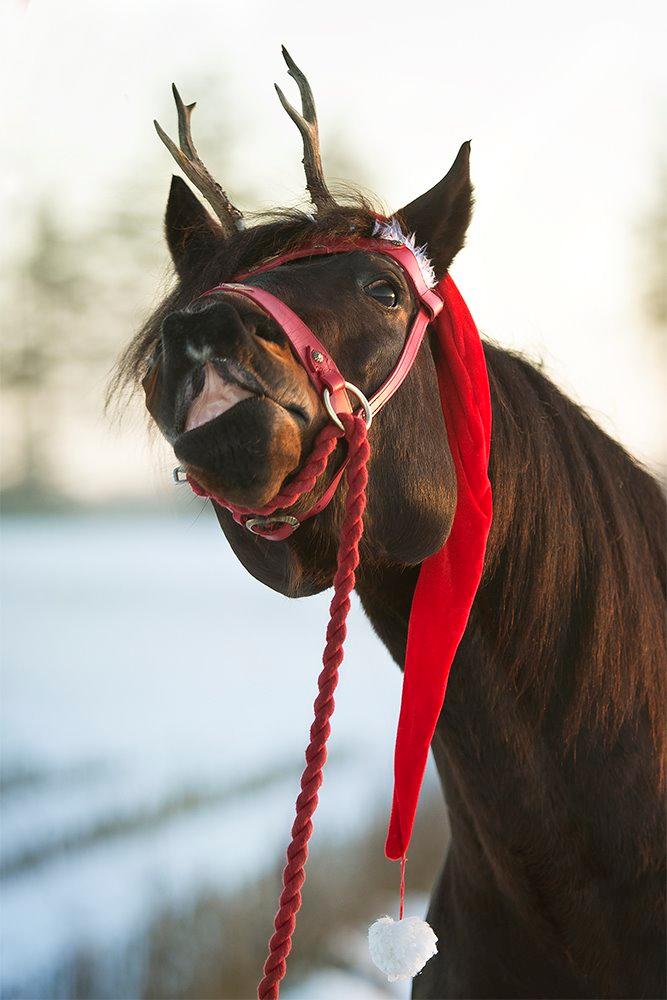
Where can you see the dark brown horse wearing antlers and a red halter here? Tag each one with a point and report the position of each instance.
(550, 747)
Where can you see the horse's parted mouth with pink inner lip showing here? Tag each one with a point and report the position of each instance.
(221, 385)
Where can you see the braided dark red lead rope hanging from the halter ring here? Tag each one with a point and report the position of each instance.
(316, 754)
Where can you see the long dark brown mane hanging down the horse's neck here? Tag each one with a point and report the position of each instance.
(577, 523)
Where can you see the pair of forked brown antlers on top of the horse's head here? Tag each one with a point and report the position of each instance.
(187, 157)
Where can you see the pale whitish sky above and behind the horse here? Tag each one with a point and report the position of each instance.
(562, 102)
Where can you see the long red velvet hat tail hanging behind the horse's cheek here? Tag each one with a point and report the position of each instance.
(448, 580)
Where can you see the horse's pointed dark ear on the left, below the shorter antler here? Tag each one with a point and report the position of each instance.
(192, 234)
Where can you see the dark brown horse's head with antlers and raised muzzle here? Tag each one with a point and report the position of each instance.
(226, 390)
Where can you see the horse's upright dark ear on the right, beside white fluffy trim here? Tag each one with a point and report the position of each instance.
(440, 217)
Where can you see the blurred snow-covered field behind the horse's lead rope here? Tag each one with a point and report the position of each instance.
(155, 706)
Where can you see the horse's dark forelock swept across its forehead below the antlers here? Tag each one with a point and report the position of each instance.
(275, 232)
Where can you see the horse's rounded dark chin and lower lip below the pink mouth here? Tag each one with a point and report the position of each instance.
(244, 454)
